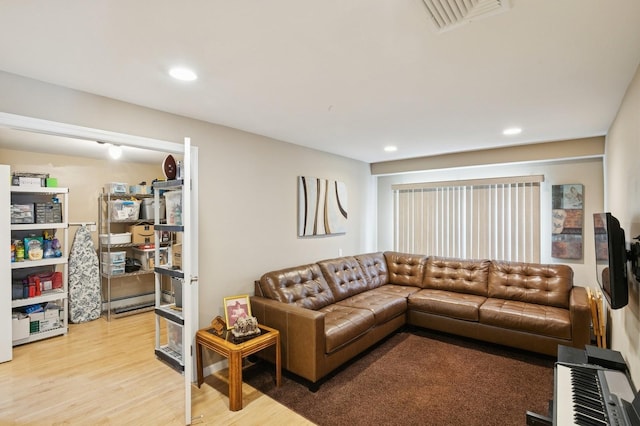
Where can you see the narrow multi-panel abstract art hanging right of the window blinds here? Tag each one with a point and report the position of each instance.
(567, 221)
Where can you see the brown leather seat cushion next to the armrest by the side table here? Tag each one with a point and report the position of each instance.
(343, 324)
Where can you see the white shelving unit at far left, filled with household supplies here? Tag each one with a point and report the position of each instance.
(20, 195)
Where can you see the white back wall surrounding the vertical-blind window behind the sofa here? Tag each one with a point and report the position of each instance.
(586, 171)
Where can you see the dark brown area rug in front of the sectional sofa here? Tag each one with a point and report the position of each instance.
(418, 377)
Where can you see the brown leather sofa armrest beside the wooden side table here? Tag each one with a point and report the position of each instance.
(301, 334)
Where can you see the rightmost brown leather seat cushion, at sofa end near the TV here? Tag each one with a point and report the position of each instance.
(528, 317)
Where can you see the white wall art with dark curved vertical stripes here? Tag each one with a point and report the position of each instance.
(322, 207)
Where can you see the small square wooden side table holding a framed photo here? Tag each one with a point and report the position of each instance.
(224, 345)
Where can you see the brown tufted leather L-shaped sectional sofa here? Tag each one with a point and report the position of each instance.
(330, 311)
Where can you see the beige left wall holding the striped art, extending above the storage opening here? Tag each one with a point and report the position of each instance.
(248, 192)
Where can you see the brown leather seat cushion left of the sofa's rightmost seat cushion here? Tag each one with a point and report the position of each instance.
(447, 303)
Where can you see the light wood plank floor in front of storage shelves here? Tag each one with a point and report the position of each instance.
(106, 373)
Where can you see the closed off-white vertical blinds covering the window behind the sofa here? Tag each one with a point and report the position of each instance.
(481, 219)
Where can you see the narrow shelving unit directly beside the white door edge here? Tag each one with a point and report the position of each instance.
(169, 347)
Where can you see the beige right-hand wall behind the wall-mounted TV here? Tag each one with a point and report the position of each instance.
(622, 199)
